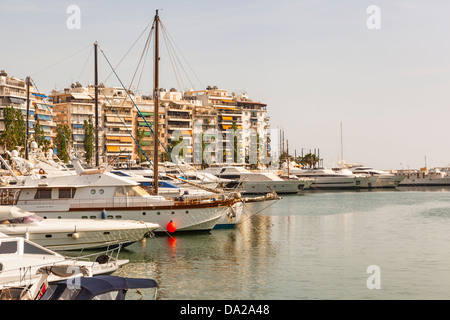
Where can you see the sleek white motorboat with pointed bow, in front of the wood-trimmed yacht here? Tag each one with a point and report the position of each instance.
(72, 234)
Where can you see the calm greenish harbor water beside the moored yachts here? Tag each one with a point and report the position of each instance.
(316, 245)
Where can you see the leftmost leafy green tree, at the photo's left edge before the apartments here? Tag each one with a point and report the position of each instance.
(15, 129)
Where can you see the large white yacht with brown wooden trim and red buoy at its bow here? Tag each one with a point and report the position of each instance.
(95, 193)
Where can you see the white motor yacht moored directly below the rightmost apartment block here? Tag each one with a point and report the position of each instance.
(260, 182)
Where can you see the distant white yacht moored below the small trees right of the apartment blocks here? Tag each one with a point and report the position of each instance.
(330, 179)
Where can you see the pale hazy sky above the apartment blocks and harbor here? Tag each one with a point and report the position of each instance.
(384, 75)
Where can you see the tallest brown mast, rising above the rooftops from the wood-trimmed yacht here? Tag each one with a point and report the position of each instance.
(156, 99)
